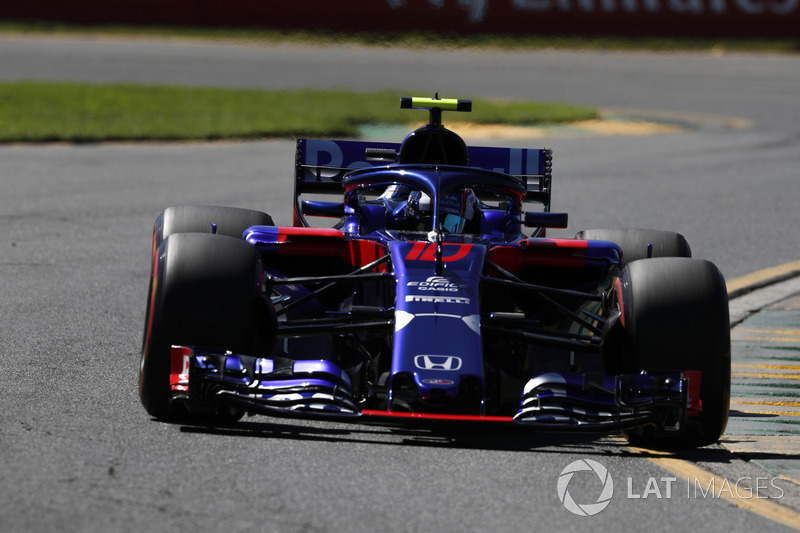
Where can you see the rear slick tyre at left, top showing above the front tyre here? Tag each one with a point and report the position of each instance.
(230, 221)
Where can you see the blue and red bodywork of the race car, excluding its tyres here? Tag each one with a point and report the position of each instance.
(390, 316)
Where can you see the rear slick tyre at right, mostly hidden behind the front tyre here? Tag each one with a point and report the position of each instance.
(634, 242)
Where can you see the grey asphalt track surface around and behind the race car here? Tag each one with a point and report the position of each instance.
(79, 453)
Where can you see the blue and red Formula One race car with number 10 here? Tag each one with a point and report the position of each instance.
(426, 304)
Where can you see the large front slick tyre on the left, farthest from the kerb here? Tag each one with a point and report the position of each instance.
(204, 291)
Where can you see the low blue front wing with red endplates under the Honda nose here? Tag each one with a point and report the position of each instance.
(203, 381)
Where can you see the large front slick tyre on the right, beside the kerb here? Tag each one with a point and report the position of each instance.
(675, 317)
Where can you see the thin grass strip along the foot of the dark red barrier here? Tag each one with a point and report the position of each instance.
(419, 39)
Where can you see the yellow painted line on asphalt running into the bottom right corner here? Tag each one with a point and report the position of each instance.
(760, 506)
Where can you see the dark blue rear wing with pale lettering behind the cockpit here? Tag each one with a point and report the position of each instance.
(320, 165)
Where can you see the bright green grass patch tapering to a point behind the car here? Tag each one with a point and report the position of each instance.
(72, 112)
